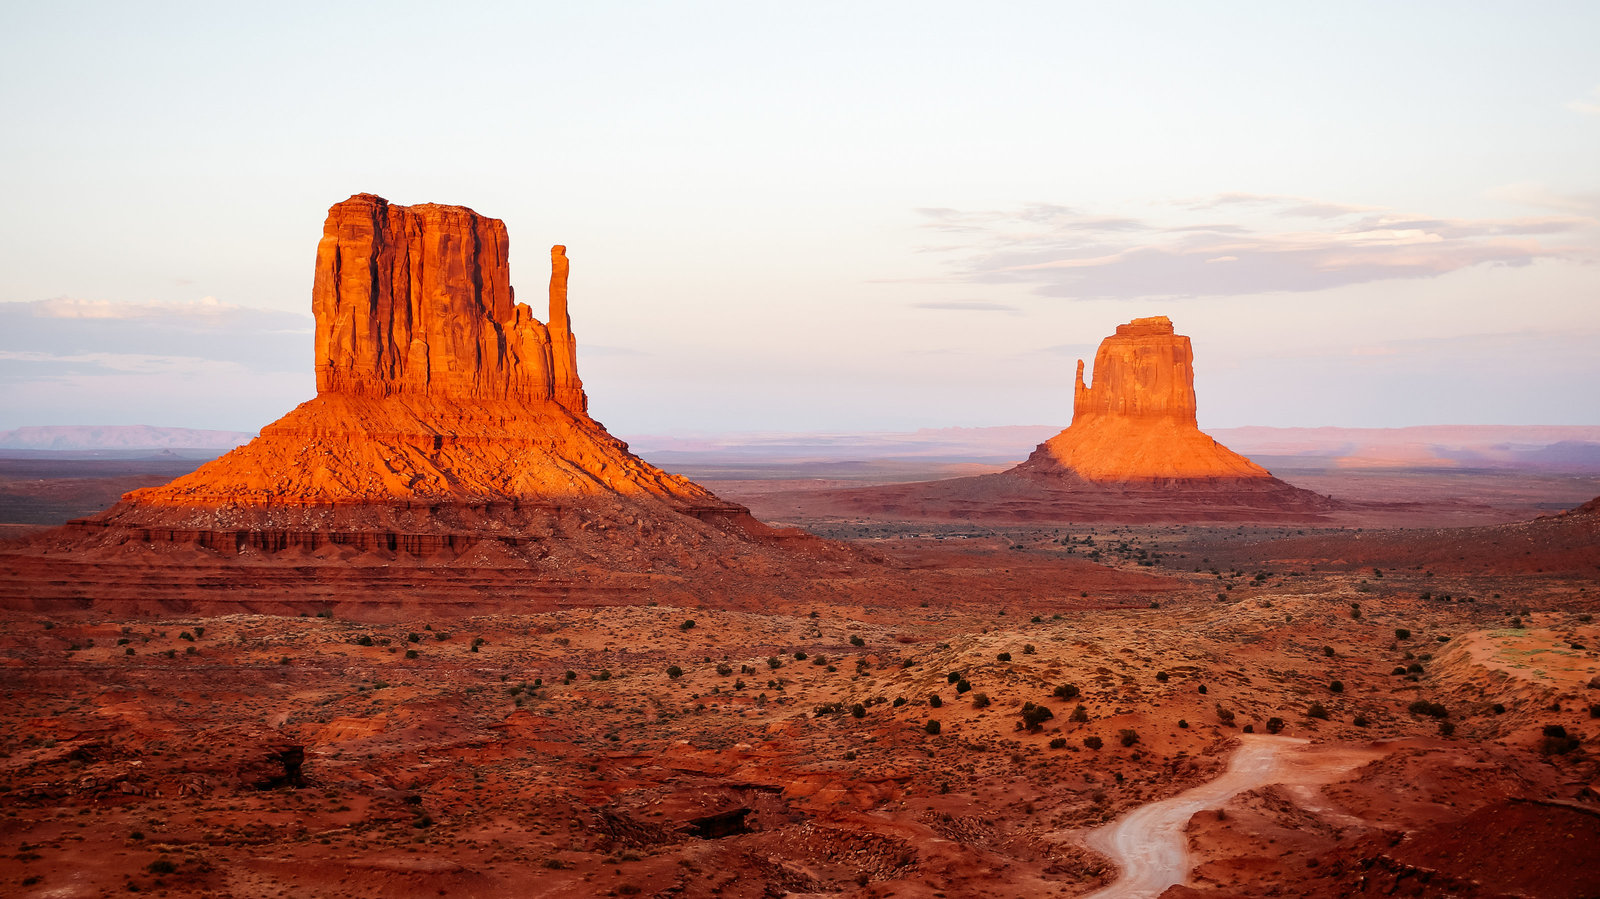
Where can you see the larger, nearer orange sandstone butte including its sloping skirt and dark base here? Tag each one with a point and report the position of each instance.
(449, 426)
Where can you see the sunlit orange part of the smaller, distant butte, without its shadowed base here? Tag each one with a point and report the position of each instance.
(1138, 422)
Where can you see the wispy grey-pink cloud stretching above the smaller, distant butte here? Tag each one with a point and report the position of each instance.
(1263, 244)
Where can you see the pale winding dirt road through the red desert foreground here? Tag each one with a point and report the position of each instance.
(1150, 844)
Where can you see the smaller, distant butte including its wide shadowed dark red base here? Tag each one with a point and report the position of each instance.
(1134, 453)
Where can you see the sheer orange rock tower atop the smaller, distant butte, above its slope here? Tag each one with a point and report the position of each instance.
(1145, 370)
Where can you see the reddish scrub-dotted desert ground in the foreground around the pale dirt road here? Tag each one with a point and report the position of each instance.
(135, 756)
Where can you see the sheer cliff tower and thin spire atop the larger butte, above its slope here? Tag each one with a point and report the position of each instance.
(418, 300)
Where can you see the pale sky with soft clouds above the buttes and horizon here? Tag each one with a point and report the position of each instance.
(826, 217)
